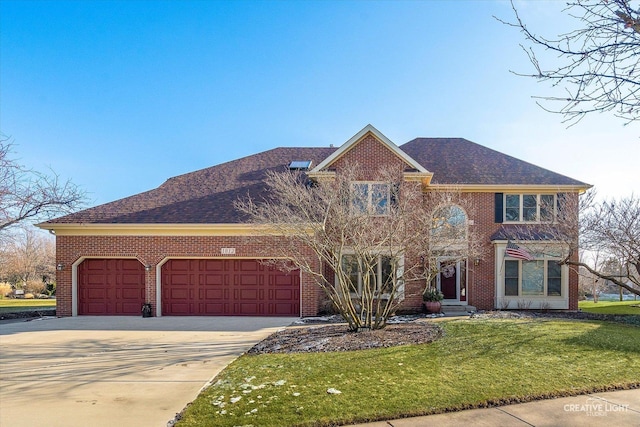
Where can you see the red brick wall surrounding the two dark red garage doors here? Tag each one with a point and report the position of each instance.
(150, 250)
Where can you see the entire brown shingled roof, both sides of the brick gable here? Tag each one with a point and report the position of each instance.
(207, 196)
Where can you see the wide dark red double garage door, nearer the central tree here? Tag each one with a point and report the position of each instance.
(228, 287)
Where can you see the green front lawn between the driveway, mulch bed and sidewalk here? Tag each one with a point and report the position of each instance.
(477, 363)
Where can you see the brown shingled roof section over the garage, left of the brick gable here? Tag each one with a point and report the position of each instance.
(201, 197)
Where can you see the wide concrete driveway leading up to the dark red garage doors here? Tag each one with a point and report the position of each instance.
(123, 371)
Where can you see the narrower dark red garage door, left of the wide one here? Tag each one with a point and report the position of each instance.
(110, 287)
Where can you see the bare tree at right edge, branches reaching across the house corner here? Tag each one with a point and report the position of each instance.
(610, 229)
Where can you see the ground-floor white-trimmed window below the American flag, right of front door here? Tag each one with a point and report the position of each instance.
(536, 278)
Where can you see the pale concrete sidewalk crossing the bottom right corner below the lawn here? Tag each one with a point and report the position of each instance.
(617, 408)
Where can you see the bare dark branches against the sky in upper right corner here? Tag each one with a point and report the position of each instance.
(596, 63)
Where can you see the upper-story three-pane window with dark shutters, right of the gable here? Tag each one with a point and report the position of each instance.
(529, 207)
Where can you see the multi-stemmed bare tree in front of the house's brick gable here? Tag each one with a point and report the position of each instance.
(380, 241)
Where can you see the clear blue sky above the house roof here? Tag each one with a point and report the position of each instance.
(121, 95)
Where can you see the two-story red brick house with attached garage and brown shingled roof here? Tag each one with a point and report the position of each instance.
(185, 250)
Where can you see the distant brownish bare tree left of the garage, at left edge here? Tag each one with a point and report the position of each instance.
(27, 260)
